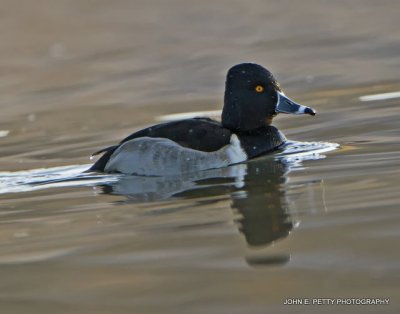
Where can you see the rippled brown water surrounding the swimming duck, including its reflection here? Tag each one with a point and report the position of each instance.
(77, 76)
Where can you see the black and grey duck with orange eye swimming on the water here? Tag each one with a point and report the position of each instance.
(252, 98)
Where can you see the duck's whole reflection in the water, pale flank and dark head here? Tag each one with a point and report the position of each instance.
(257, 190)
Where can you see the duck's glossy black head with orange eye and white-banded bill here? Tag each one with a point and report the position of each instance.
(253, 97)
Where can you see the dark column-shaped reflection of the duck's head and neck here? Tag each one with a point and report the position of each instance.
(262, 204)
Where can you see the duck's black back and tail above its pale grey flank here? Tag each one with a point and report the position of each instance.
(201, 134)
